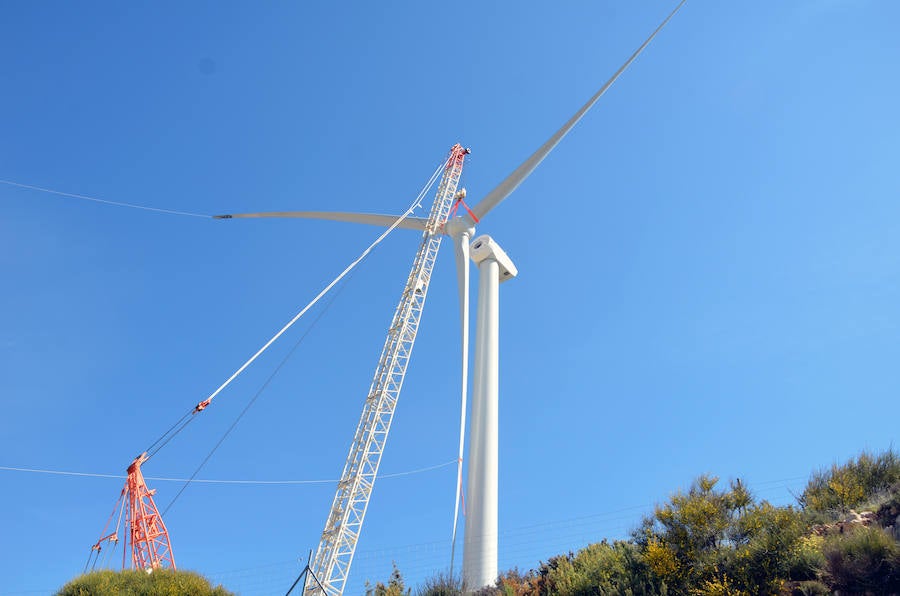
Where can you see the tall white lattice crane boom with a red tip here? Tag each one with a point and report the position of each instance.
(342, 528)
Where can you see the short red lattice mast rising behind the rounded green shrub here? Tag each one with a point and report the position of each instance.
(148, 538)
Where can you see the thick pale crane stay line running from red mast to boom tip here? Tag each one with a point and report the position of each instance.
(202, 405)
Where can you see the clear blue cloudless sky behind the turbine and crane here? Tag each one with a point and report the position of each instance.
(709, 265)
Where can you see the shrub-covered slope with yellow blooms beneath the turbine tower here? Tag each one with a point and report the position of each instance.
(842, 537)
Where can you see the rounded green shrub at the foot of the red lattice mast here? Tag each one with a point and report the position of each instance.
(162, 582)
